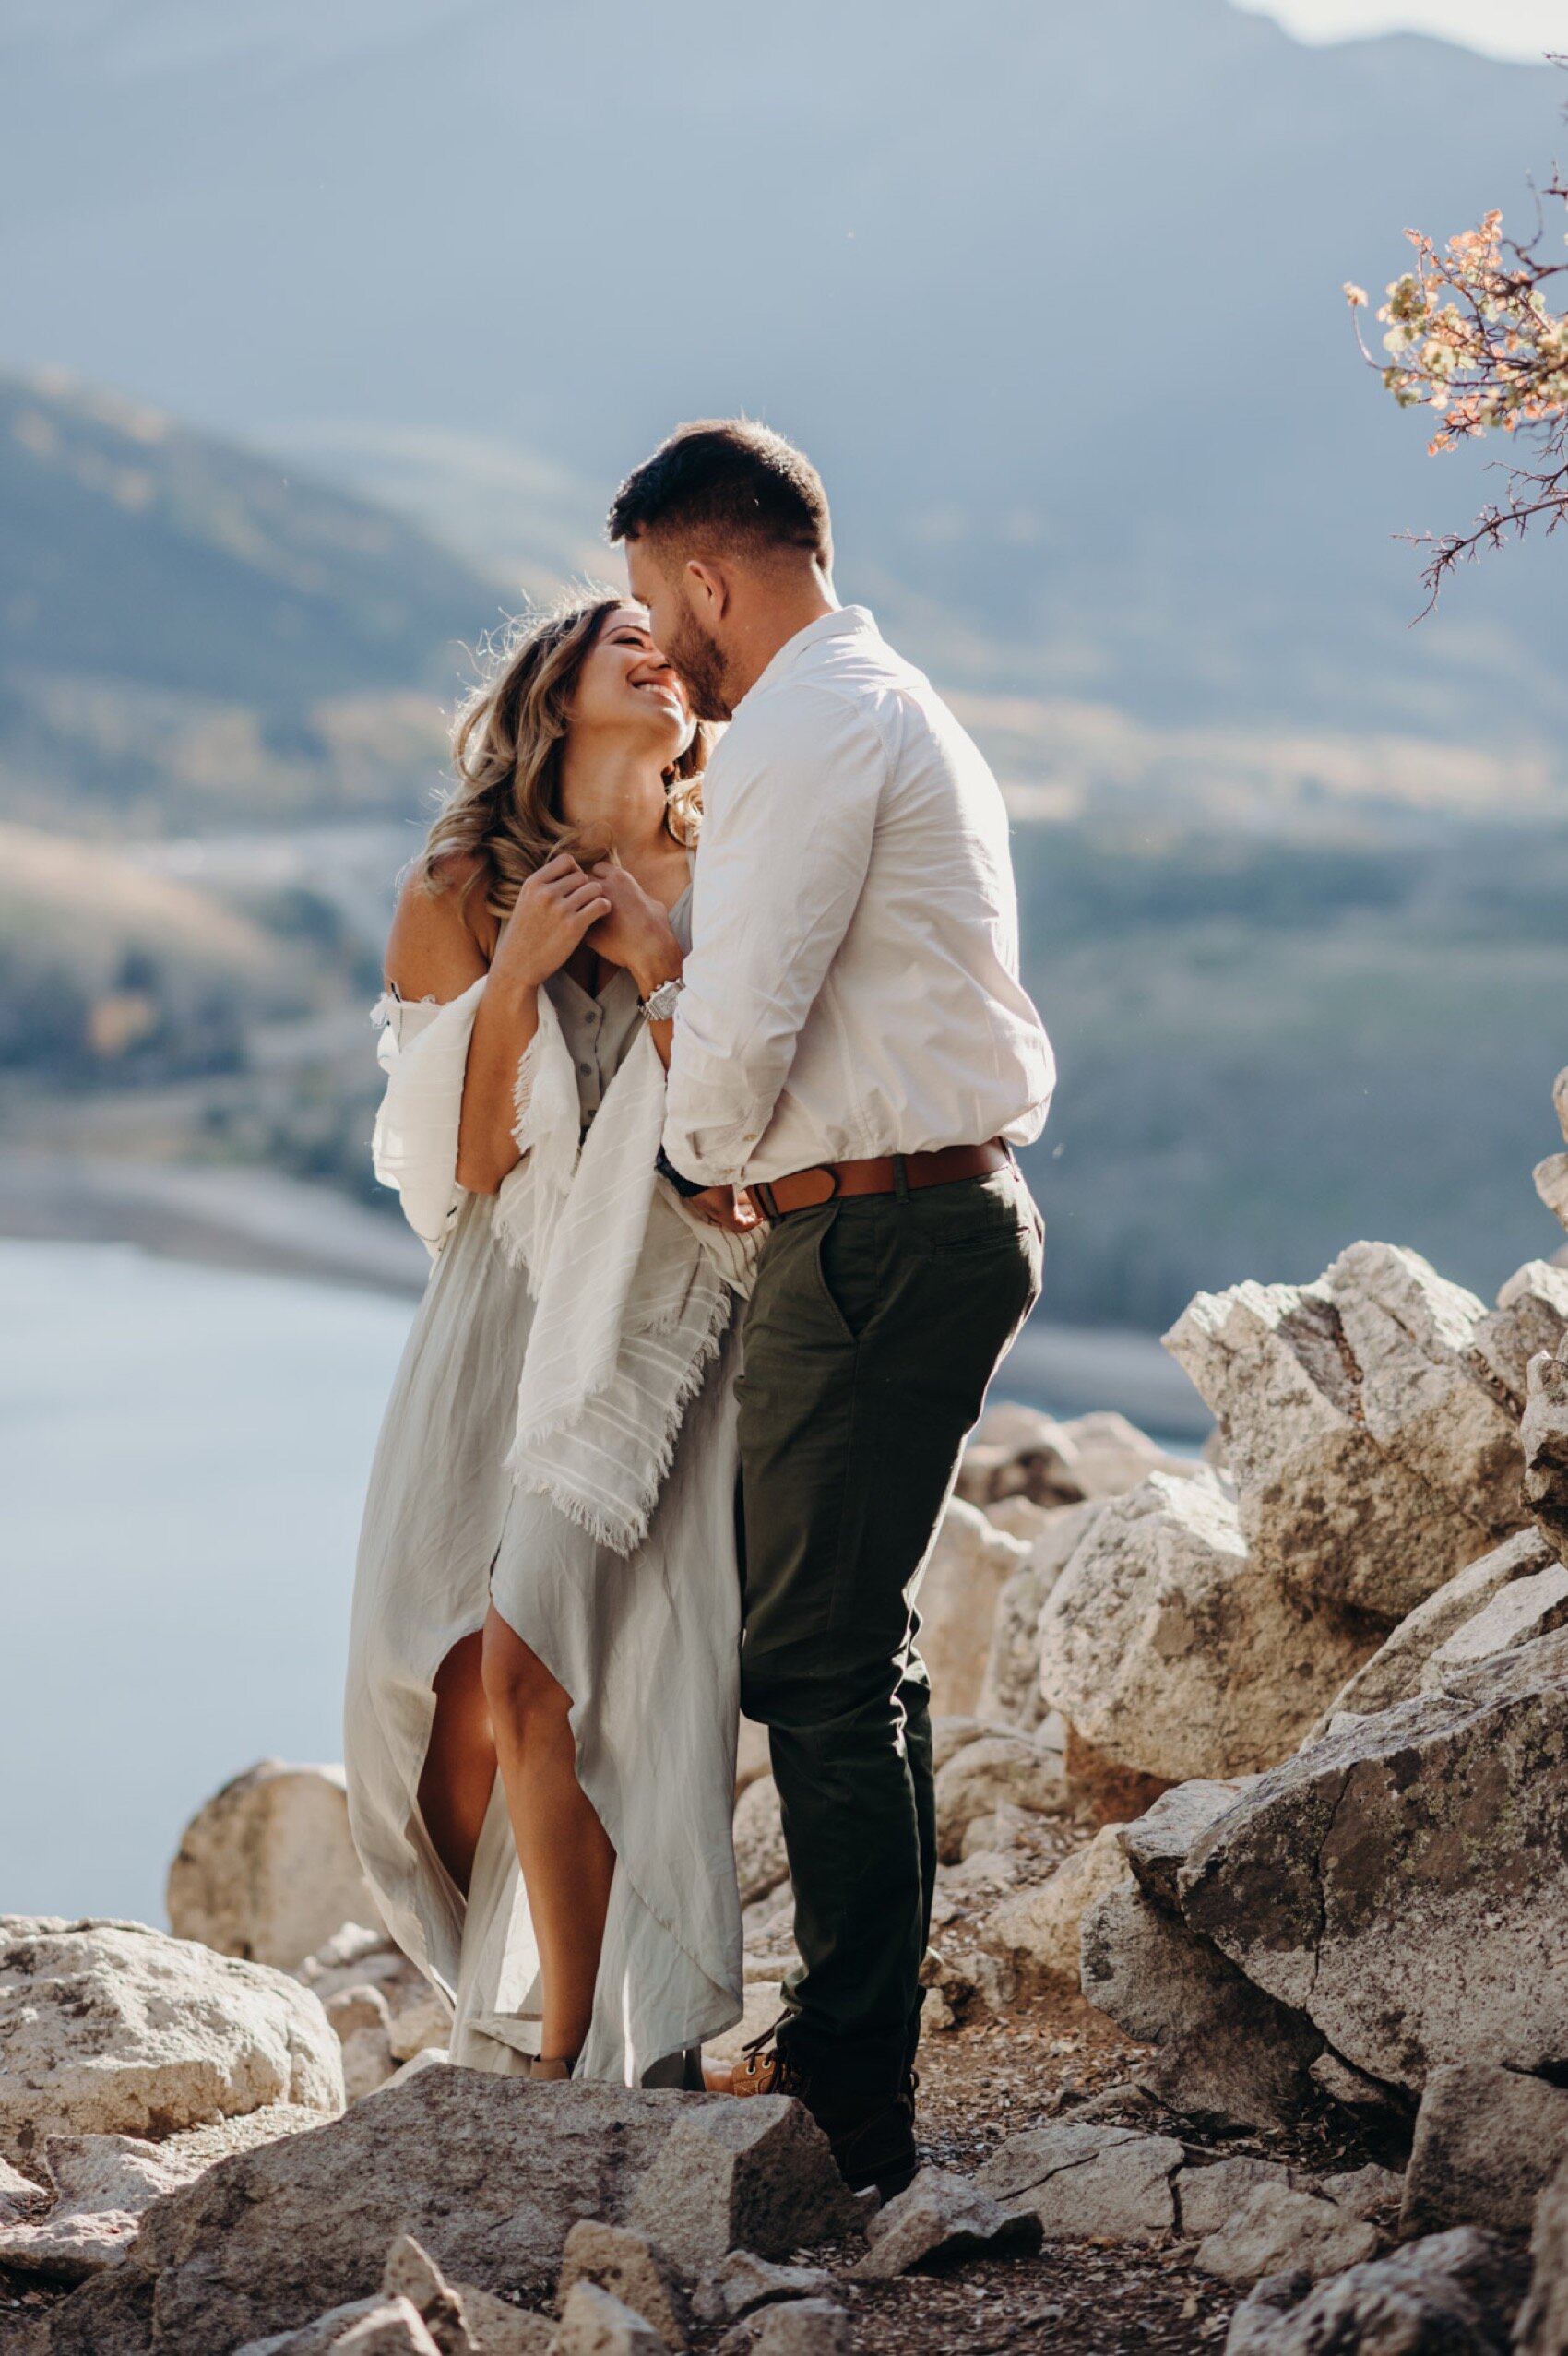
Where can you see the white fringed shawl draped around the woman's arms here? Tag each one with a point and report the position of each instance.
(632, 1290)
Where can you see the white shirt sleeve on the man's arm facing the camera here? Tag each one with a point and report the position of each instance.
(785, 847)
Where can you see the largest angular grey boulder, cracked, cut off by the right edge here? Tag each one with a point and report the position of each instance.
(1400, 1881)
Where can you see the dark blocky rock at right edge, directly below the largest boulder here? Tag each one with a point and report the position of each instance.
(1487, 2145)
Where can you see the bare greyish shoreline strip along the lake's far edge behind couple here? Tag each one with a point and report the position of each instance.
(279, 1226)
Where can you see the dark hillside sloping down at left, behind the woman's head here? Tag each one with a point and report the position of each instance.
(192, 635)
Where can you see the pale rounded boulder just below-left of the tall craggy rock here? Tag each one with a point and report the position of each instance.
(1174, 1653)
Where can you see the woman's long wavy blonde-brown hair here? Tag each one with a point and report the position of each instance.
(505, 807)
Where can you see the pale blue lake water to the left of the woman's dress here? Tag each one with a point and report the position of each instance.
(182, 1467)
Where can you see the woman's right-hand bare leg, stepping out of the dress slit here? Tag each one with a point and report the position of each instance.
(562, 1846)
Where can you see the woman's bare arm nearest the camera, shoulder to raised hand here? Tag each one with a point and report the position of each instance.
(434, 953)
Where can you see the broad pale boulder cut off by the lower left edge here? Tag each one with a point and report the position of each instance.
(114, 2030)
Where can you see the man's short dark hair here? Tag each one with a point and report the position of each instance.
(724, 482)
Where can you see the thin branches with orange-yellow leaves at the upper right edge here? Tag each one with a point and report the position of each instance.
(1473, 336)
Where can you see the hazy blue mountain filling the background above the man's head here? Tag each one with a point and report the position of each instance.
(1051, 291)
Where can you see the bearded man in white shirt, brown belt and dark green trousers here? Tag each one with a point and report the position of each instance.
(853, 1047)
